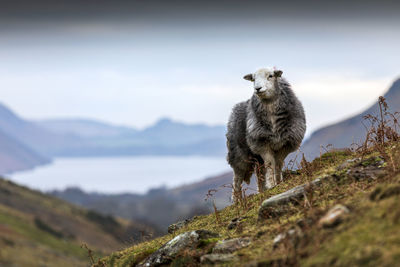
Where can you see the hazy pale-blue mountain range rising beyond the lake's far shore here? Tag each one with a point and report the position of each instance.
(165, 137)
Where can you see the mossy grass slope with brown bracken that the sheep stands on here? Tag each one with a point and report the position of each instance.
(368, 235)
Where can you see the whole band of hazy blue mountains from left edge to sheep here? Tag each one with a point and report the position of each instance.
(45, 139)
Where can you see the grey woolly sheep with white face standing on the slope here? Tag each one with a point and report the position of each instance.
(263, 130)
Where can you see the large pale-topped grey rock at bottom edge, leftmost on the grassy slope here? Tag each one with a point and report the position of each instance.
(187, 240)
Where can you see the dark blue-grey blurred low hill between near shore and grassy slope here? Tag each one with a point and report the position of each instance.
(159, 207)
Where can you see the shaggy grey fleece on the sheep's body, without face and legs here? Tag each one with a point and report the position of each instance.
(256, 125)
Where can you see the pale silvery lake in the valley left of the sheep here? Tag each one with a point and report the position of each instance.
(121, 174)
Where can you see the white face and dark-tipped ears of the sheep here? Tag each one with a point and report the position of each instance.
(265, 83)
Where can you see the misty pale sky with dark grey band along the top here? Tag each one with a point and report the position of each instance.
(132, 62)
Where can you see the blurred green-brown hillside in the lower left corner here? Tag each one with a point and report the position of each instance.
(40, 230)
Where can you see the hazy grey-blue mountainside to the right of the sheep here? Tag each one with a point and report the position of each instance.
(344, 133)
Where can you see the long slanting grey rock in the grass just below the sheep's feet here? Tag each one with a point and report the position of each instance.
(274, 206)
